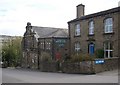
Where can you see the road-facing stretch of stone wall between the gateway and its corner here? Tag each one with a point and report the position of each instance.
(85, 67)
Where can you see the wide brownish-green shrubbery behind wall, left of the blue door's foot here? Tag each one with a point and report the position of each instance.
(81, 57)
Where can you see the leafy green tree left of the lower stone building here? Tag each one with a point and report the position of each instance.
(11, 52)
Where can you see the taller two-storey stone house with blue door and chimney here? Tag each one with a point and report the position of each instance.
(89, 33)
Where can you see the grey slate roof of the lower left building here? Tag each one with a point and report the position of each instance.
(46, 32)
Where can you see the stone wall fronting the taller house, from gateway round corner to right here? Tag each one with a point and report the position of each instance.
(90, 67)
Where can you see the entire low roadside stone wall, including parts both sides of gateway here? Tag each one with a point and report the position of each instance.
(84, 67)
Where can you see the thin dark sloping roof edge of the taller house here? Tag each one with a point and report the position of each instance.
(113, 10)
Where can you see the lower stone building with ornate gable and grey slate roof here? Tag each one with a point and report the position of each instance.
(37, 40)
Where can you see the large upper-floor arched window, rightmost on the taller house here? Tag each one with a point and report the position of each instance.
(108, 25)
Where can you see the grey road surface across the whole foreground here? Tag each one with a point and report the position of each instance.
(19, 75)
